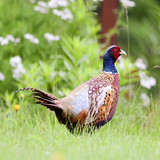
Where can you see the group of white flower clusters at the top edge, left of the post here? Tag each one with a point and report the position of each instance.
(65, 13)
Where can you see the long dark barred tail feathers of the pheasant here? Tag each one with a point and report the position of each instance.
(43, 98)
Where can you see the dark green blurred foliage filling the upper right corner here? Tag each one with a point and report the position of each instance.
(144, 33)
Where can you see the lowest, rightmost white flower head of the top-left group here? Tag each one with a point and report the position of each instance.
(64, 14)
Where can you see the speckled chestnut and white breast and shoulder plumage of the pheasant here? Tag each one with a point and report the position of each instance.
(103, 97)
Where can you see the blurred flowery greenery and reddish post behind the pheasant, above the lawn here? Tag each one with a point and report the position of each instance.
(57, 45)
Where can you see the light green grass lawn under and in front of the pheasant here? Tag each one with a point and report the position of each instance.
(34, 133)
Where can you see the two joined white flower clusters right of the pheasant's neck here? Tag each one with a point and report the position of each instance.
(145, 80)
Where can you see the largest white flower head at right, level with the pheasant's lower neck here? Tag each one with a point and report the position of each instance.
(147, 81)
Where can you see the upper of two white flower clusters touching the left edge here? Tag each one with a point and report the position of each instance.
(7, 39)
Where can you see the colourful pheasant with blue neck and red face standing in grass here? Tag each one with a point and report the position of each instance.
(93, 103)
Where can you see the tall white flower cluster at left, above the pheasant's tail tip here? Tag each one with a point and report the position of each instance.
(17, 67)
